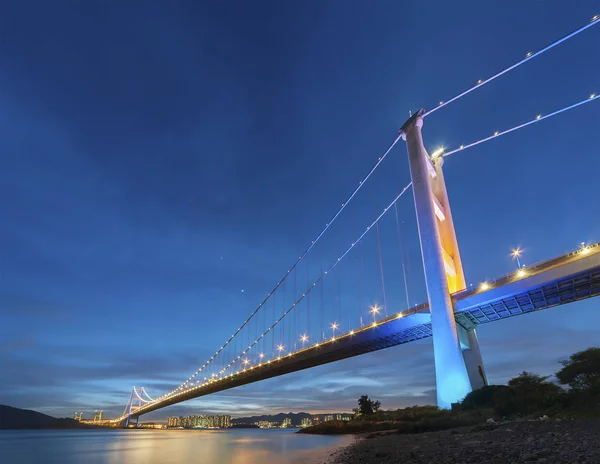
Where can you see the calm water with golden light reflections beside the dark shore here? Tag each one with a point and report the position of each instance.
(248, 446)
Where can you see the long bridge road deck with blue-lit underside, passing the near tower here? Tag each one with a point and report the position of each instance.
(563, 280)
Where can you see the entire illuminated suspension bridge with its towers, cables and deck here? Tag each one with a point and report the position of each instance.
(308, 319)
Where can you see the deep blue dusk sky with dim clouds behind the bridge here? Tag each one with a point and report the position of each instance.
(157, 158)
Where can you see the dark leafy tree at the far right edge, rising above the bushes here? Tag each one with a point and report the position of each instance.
(581, 371)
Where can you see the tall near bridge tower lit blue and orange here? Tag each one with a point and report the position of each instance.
(458, 362)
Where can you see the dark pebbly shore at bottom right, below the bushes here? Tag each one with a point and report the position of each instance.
(575, 441)
